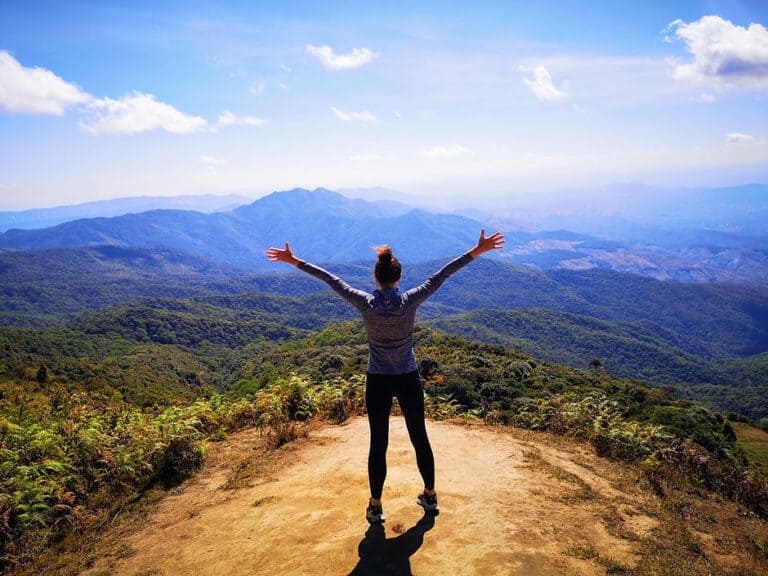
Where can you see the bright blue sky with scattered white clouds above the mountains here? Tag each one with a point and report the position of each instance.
(463, 102)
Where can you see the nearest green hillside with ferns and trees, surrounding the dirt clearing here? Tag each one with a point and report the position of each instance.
(93, 415)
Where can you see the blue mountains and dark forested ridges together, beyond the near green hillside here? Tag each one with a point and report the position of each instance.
(560, 295)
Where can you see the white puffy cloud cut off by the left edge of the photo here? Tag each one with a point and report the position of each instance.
(35, 90)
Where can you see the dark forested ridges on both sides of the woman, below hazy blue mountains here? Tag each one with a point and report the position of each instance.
(697, 338)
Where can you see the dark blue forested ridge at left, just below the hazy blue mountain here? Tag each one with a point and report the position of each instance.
(47, 287)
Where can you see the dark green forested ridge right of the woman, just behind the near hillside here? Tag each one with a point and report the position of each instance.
(639, 350)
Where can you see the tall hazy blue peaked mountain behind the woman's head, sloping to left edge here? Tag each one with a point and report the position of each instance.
(322, 225)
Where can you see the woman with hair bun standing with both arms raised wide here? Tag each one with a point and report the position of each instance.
(389, 316)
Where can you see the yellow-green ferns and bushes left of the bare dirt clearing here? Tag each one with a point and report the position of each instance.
(69, 458)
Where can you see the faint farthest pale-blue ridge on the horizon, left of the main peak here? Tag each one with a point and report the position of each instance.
(47, 217)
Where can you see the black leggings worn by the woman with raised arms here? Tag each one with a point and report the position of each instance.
(379, 391)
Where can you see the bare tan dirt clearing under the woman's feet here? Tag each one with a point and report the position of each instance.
(508, 507)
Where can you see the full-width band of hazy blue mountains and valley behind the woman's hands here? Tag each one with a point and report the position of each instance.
(325, 226)
